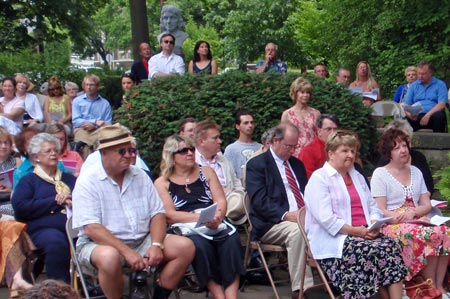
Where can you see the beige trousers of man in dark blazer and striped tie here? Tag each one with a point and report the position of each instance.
(288, 234)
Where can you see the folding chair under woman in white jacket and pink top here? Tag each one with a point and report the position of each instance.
(309, 259)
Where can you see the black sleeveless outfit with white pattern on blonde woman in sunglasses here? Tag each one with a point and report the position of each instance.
(217, 260)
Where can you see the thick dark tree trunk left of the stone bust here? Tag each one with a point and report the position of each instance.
(139, 25)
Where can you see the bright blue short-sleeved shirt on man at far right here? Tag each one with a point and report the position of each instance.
(435, 92)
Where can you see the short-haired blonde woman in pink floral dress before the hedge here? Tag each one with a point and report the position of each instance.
(301, 115)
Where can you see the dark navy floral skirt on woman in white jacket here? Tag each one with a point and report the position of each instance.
(365, 266)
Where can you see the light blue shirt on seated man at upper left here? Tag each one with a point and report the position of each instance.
(86, 110)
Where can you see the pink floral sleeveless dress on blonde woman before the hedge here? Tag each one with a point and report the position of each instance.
(306, 126)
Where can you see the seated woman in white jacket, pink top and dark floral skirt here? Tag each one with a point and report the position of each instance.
(359, 262)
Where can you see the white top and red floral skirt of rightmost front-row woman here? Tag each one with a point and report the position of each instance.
(418, 241)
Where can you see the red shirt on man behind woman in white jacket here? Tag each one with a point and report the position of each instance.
(313, 156)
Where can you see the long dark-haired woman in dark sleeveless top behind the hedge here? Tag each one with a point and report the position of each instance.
(202, 62)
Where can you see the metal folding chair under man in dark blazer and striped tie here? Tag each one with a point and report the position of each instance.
(261, 247)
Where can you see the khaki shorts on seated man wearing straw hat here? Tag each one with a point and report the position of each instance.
(85, 246)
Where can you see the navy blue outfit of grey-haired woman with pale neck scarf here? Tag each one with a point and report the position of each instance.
(34, 204)
